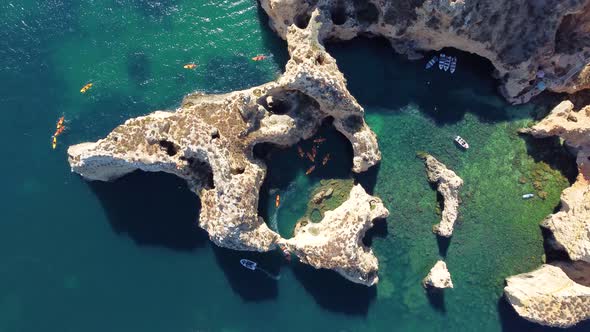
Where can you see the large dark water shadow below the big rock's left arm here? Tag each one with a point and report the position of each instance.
(154, 209)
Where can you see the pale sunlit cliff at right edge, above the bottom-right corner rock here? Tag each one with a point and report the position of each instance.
(571, 226)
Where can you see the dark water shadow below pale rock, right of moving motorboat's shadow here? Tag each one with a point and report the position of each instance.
(333, 292)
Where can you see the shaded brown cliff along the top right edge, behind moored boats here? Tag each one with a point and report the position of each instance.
(518, 37)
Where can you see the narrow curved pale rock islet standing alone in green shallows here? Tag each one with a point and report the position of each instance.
(448, 184)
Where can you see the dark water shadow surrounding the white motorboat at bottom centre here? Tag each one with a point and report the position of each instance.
(249, 285)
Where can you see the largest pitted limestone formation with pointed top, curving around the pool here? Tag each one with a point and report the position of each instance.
(209, 140)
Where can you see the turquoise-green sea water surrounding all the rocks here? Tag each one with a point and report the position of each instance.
(127, 256)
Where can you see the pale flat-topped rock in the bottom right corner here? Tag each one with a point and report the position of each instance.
(548, 296)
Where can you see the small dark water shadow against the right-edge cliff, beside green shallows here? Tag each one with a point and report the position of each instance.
(550, 151)
